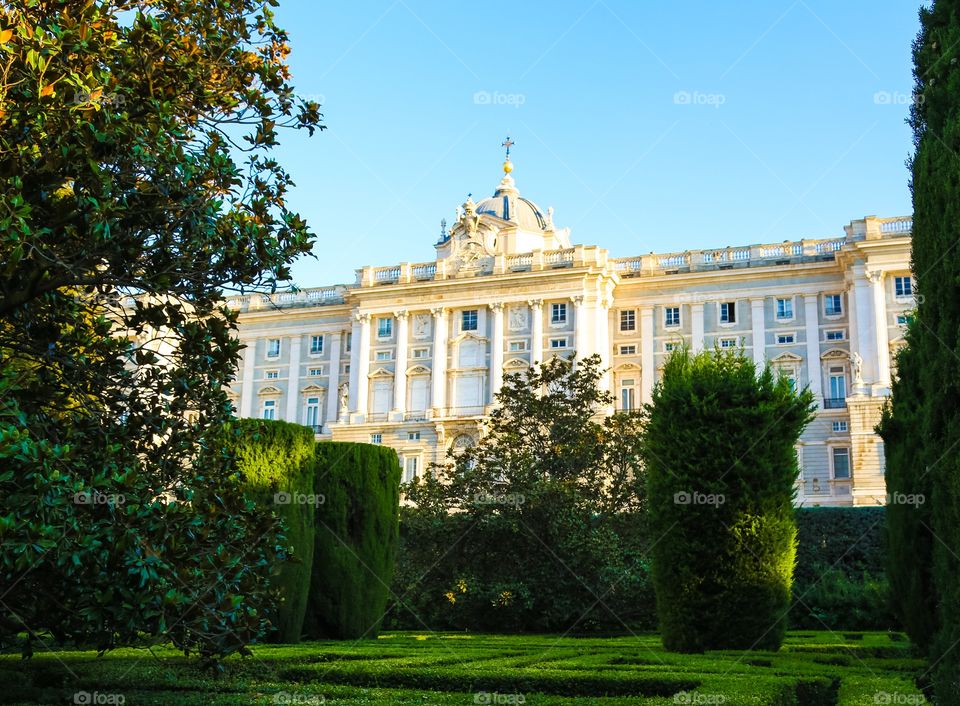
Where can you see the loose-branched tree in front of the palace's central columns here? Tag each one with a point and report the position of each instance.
(538, 502)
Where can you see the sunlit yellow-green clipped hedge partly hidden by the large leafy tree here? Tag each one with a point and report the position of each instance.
(278, 465)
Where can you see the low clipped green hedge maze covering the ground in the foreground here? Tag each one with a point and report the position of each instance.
(813, 669)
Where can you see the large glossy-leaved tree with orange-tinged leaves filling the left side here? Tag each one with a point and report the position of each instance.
(126, 213)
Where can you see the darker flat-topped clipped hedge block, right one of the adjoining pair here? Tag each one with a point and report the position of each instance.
(356, 539)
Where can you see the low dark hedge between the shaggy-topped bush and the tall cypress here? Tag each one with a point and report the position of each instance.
(840, 581)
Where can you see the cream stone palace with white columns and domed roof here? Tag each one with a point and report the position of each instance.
(411, 355)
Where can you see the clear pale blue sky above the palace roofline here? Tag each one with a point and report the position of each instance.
(648, 126)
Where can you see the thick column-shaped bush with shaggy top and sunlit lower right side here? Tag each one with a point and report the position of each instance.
(721, 469)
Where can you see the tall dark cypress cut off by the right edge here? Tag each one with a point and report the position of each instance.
(923, 424)
